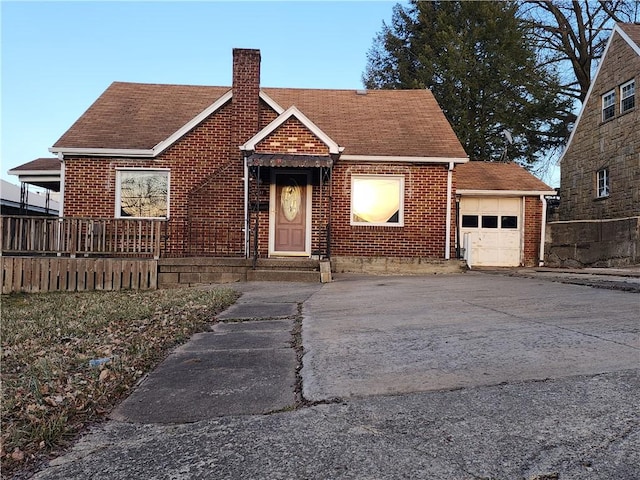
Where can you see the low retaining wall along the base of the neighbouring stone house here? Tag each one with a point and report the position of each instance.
(599, 243)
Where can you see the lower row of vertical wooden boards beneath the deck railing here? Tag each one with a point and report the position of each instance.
(48, 274)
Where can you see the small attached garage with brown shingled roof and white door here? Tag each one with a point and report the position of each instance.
(501, 214)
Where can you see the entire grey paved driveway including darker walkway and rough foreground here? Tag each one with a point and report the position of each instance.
(466, 376)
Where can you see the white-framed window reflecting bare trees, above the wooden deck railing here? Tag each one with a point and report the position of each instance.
(142, 193)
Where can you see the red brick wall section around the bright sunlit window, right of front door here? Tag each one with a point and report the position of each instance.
(423, 234)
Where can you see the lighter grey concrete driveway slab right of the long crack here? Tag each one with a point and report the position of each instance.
(391, 335)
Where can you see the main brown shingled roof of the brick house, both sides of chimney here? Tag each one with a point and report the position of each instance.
(378, 122)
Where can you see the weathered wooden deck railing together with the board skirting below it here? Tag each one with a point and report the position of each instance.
(44, 254)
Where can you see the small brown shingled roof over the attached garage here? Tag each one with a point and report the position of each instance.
(486, 176)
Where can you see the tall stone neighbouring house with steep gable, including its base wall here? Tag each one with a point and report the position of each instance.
(599, 211)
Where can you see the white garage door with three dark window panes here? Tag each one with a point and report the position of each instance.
(494, 226)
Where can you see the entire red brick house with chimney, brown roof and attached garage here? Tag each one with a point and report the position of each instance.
(367, 178)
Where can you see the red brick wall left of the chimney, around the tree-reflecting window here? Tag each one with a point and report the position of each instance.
(196, 162)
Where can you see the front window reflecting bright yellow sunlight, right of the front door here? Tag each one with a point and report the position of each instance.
(377, 200)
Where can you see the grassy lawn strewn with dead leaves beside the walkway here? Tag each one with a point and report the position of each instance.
(69, 358)
